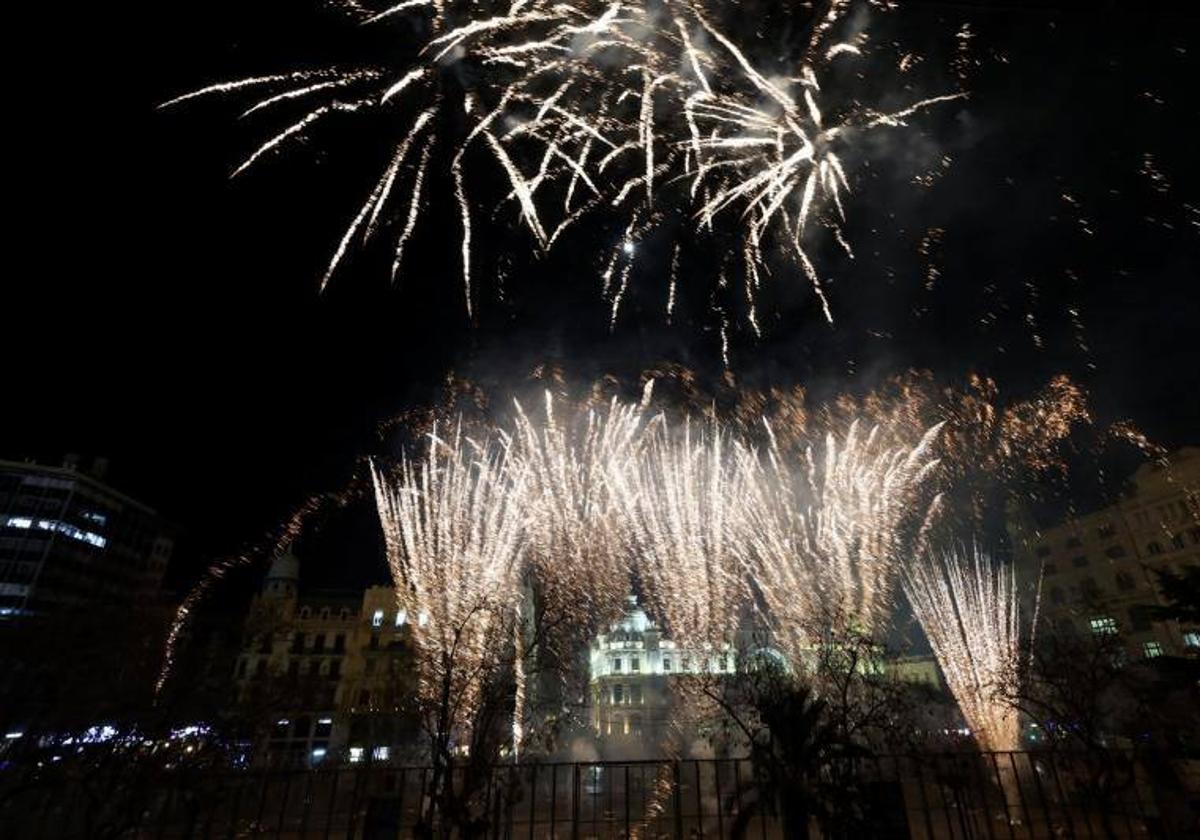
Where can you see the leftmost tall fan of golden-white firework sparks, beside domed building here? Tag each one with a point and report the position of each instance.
(454, 529)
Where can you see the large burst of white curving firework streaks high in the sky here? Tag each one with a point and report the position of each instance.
(650, 116)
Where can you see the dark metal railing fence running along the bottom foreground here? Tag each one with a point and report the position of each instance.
(999, 795)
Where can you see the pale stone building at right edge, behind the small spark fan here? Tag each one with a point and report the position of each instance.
(1097, 571)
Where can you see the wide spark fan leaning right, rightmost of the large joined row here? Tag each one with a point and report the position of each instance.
(829, 533)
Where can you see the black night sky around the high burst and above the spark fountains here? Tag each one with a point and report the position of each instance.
(169, 319)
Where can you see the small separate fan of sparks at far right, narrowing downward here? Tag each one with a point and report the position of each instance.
(967, 603)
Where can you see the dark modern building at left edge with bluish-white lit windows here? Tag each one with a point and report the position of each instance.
(70, 541)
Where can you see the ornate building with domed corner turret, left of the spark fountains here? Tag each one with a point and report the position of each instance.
(323, 676)
